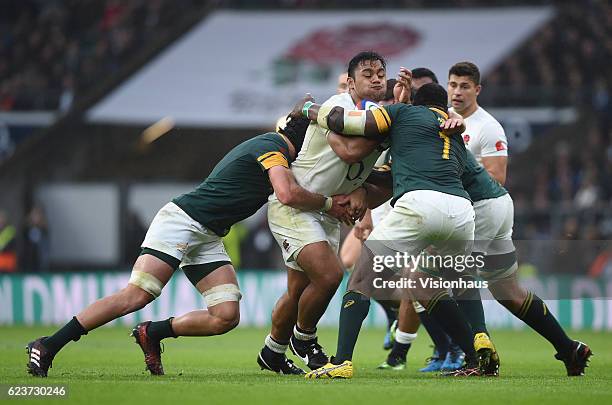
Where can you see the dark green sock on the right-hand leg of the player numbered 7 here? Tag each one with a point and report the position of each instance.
(445, 311)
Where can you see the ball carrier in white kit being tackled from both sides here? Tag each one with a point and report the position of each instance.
(309, 241)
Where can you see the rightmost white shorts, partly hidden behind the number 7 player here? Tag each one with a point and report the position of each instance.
(494, 222)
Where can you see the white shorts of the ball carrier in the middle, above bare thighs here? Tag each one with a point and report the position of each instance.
(293, 229)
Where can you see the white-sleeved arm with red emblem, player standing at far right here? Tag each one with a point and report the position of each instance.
(494, 151)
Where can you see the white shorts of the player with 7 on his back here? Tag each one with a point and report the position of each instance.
(425, 218)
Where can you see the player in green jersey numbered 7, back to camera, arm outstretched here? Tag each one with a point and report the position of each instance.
(430, 207)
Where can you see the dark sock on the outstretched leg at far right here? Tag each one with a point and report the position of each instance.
(535, 313)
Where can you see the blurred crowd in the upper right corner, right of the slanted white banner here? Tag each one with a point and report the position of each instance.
(567, 62)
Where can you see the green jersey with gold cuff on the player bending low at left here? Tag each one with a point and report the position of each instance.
(238, 185)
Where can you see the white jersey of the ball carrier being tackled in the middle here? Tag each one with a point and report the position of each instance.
(318, 169)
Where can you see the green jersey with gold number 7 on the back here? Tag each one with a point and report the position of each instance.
(423, 157)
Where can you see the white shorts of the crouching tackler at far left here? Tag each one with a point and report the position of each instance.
(175, 233)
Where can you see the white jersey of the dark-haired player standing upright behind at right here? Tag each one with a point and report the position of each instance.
(484, 136)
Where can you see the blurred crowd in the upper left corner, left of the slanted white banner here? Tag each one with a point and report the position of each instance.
(52, 52)
